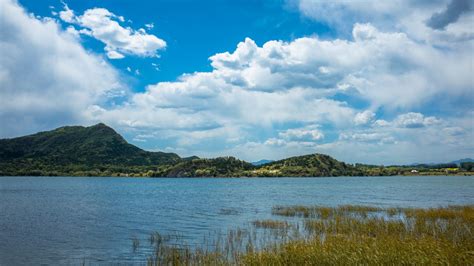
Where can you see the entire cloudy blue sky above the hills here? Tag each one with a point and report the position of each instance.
(379, 82)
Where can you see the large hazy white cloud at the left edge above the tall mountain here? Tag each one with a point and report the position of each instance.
(47, 78)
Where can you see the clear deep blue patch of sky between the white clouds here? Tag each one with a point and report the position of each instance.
(194, 30)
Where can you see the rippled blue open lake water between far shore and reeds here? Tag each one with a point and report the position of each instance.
(65, 220)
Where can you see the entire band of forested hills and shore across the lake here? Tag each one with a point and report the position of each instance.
(100, 151)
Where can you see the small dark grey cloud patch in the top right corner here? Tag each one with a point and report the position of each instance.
(450, 15)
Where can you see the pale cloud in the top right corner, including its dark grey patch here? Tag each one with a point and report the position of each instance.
(418, 19)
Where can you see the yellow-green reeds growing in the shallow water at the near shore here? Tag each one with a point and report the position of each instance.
(343, 235)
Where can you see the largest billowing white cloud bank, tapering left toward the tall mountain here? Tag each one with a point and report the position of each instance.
(282, 83)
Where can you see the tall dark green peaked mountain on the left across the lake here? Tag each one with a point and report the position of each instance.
(76, 148)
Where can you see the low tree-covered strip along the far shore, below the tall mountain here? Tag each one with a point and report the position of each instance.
(315, 165)
